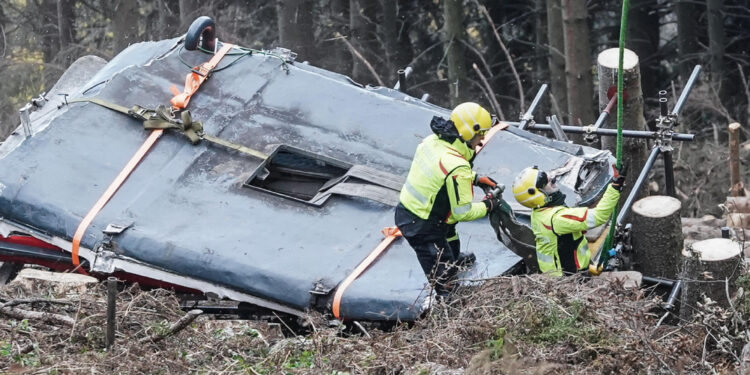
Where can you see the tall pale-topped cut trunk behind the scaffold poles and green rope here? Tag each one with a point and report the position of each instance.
(634, 150)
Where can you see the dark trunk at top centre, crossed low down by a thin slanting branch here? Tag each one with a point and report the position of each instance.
(362, 15)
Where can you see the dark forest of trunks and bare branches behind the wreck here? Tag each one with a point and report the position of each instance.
(453, 46)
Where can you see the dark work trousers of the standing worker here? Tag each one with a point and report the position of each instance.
(429, 241)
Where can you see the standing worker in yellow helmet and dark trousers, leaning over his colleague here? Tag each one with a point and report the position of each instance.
(439, 192)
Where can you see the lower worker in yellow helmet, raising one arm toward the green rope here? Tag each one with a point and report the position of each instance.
(561, 246)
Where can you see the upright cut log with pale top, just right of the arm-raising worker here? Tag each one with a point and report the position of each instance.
(657, 236)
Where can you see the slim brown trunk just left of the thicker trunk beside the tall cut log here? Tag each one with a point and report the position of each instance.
(558, 84)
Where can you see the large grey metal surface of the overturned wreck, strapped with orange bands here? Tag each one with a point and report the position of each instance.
(189, 210)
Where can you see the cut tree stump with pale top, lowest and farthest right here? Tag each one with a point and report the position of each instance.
(707, 268)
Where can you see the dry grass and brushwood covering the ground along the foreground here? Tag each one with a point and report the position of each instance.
(519, 325)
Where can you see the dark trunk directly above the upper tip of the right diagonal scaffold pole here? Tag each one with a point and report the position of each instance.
(687, 36)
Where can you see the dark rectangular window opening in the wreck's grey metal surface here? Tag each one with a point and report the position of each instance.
(297, 174)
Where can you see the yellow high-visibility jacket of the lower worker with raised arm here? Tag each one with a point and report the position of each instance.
(560, 241)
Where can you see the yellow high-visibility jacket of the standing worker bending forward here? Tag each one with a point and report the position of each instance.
(439, 187)
